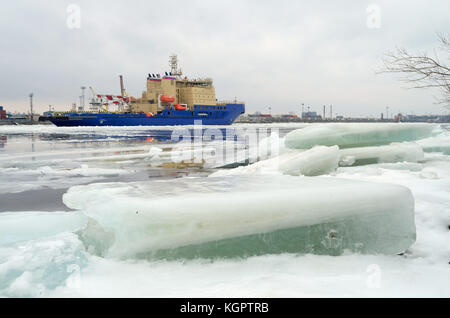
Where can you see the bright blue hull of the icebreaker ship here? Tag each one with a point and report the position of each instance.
(207, 114)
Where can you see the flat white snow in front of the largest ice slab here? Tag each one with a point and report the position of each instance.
(285, 275)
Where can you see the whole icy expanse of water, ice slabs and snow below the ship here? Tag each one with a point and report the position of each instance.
(290, 210)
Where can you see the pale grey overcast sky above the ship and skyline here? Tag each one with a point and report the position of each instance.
(268, 53)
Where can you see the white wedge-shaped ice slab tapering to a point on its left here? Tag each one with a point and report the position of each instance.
(313, 162)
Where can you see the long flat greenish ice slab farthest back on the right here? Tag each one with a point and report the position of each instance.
(356, 134)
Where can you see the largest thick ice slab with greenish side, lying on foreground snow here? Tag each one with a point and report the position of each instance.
(299, 215)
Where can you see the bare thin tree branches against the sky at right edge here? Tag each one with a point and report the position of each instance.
(421, 70)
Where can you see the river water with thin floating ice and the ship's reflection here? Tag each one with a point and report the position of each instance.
(51, 160)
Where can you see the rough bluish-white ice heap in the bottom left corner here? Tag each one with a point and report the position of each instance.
(32, 268)
